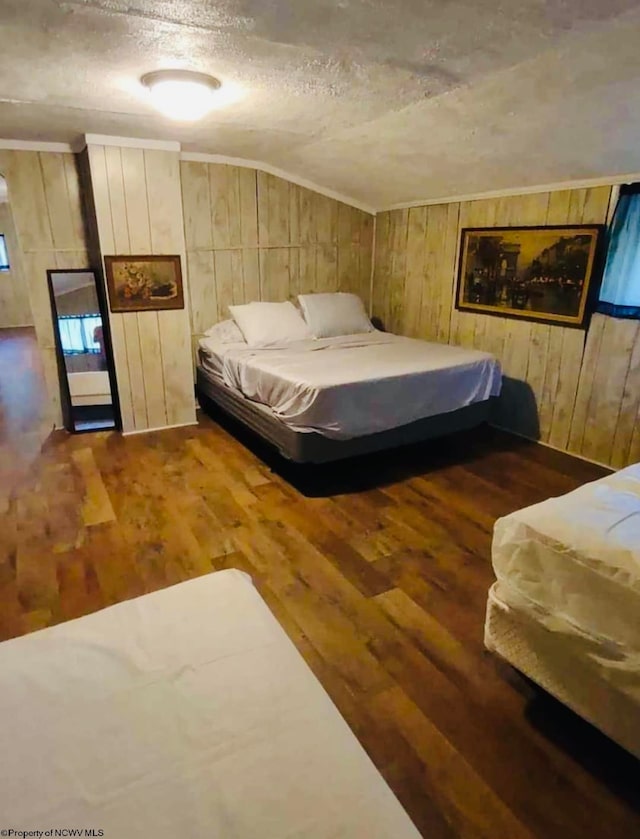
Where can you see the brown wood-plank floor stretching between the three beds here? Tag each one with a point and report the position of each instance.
(378, 569)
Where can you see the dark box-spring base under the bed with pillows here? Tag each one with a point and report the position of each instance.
(310, 447)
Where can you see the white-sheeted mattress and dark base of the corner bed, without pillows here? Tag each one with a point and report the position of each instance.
(318, 400)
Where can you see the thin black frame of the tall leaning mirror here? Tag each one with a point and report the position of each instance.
(65, 394)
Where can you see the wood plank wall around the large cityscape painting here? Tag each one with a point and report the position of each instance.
(578, 393)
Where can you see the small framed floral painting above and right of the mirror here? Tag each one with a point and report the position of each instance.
(144, 283)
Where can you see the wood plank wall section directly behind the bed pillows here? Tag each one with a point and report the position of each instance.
(253, 236)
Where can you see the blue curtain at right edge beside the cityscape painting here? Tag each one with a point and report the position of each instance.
(620, 290)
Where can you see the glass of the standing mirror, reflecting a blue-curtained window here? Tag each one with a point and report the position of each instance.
(82, 344)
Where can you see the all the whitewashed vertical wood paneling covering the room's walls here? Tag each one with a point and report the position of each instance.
(250, 235)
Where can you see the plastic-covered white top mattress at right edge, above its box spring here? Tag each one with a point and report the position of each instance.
(574, 562)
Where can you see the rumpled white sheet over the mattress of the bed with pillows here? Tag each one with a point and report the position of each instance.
(356, 384)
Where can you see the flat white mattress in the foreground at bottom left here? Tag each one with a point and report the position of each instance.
(187, 712)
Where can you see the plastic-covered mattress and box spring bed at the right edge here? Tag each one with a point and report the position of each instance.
(564, 609)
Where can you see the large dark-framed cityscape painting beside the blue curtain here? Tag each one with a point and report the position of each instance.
(534, 273)
